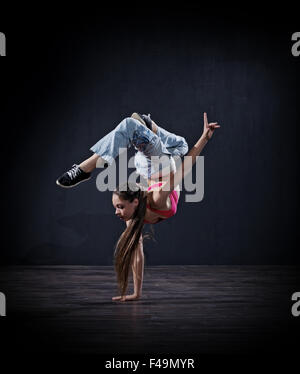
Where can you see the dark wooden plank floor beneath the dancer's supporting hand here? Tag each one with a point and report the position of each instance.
(184, 309)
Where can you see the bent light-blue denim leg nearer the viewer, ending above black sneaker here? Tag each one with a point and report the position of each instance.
(128, 132)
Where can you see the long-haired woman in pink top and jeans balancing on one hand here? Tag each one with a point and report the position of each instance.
(133, 204)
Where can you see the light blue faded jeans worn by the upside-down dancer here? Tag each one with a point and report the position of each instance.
(147, 144)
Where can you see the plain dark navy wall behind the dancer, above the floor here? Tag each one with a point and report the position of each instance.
(68, 81)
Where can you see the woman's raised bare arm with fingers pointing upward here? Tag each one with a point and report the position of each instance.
(187, 164)
